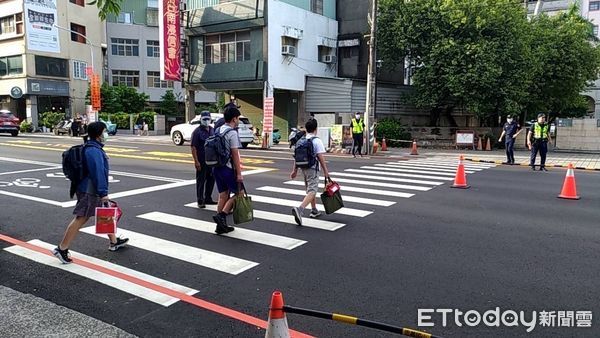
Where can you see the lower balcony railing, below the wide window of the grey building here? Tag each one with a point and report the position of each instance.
(227, 72)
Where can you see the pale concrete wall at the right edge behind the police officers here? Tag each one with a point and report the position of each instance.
(583, 135)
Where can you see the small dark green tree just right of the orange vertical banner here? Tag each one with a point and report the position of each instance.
(122, 99)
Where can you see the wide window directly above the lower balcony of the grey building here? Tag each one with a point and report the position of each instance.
(229, 47)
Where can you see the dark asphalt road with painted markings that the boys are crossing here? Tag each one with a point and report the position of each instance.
(506, 242)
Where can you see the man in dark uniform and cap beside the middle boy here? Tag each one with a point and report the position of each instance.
(205, 182)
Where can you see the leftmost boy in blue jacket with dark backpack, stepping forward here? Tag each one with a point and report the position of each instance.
(87, 168)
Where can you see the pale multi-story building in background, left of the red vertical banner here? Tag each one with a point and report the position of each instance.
(134, 53)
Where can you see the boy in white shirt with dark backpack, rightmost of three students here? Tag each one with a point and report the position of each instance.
(309, 156)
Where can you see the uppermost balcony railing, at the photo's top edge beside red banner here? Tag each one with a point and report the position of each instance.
(210, 12)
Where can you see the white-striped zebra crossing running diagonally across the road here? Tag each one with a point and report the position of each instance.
(366, 189)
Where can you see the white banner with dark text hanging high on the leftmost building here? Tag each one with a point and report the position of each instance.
(40, 18)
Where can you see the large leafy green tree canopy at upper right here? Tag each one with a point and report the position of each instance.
(485, 55)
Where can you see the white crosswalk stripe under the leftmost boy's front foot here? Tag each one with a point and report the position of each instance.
(186, 253)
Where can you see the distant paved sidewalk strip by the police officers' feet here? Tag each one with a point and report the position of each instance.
(554, 159)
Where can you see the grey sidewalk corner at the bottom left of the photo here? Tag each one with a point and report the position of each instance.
(25, 315)
